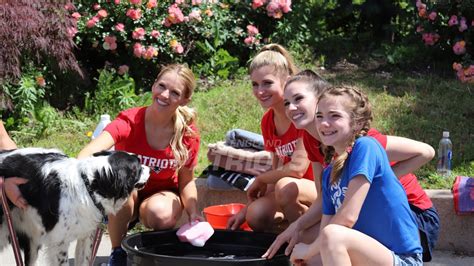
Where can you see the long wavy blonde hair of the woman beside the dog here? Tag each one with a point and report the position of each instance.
(184, 115)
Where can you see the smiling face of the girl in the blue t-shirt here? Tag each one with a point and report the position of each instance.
(334, 122)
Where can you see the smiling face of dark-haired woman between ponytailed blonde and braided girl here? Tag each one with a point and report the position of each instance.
(300, 105)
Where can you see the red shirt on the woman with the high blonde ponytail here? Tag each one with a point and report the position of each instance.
(283, 146)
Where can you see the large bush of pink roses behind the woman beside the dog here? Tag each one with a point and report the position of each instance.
(162, 31)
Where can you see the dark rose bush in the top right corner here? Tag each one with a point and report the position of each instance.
(449, 26)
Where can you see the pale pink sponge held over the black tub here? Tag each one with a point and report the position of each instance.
(196, 233)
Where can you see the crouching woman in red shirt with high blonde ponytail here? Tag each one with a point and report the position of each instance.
(287, 188)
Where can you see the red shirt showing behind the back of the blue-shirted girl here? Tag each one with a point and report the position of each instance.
(415, 193)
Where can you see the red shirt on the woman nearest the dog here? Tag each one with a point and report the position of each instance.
(128, 132)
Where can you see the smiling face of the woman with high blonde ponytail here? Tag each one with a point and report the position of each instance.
(267, 86)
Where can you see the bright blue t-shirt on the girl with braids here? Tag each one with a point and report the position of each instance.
(385, 214)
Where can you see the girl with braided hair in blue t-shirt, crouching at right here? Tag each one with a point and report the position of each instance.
(366, 217)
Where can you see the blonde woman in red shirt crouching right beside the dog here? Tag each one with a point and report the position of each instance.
(164, 137)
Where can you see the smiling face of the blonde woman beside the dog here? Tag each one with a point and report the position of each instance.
(168, 92)
